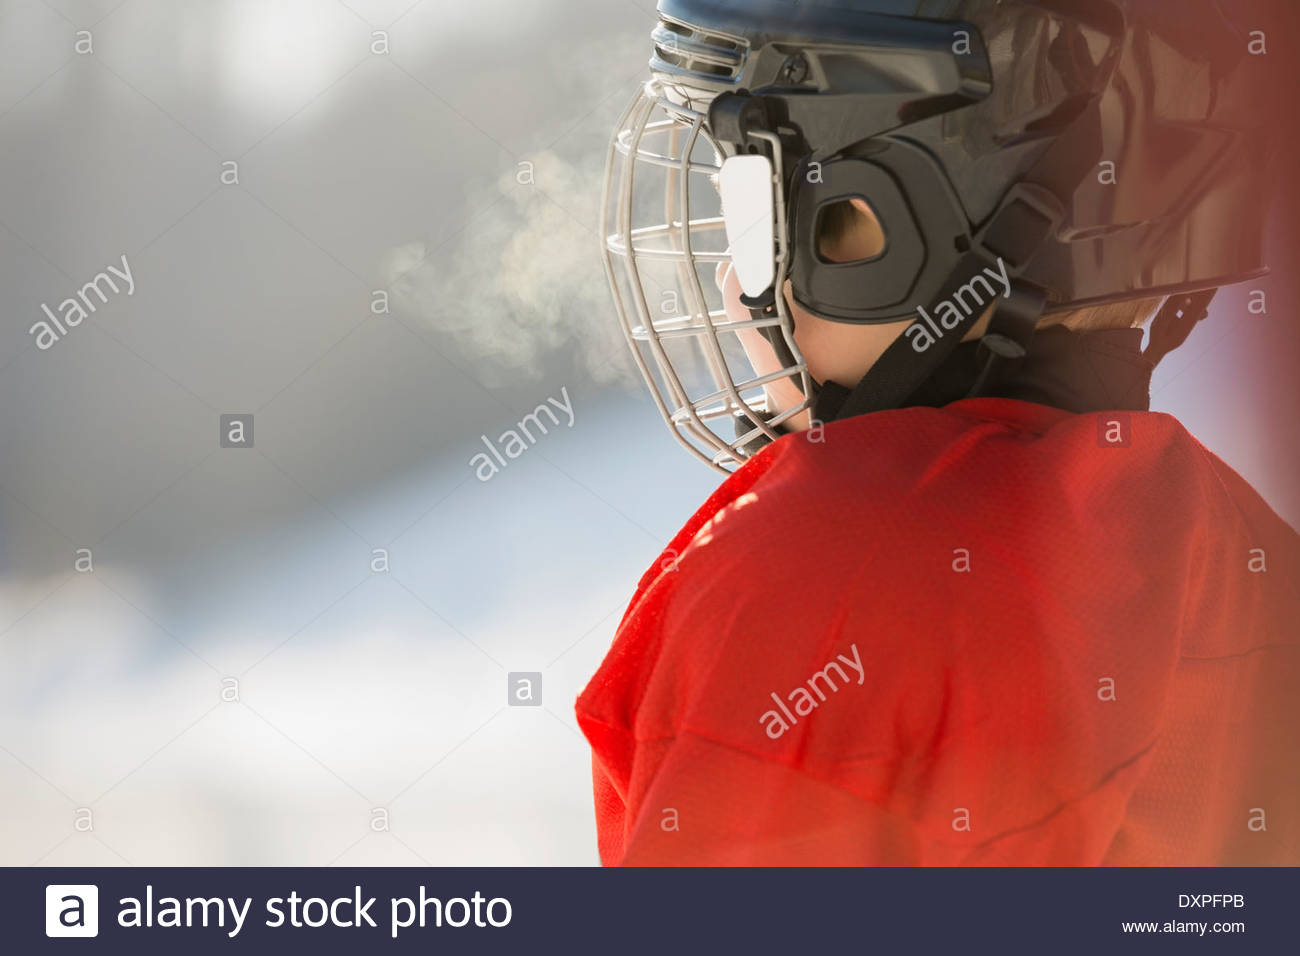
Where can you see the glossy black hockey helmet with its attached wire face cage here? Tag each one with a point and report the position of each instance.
(1093, 152)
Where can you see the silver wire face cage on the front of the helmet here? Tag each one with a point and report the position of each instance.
(709, 361)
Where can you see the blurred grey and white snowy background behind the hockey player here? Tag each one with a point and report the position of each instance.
(449, 155)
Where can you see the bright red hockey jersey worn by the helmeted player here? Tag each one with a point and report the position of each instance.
(991, 634)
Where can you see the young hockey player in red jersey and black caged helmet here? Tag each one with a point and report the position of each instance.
(965, 600)
